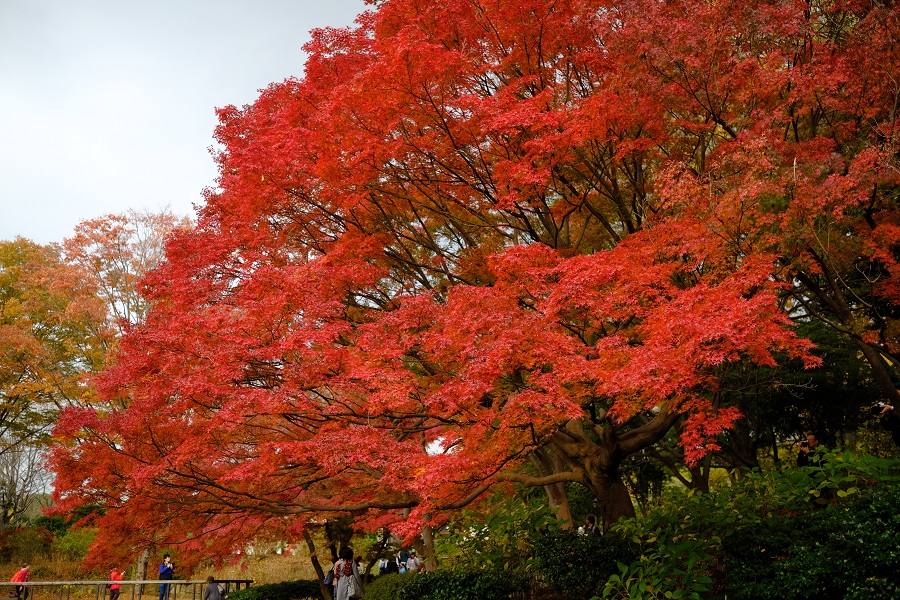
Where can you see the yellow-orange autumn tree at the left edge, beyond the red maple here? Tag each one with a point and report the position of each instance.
(55, 333)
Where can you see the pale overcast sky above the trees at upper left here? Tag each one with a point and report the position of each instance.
(109, 105)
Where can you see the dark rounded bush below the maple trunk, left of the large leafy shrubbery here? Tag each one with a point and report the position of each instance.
(578, 564)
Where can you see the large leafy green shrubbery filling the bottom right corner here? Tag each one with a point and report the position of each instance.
(826, 532)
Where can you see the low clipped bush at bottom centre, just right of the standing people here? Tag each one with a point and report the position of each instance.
(462, 584)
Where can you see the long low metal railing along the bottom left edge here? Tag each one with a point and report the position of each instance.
(185, 589)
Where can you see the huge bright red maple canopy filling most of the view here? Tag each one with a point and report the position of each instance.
(475, 233)
